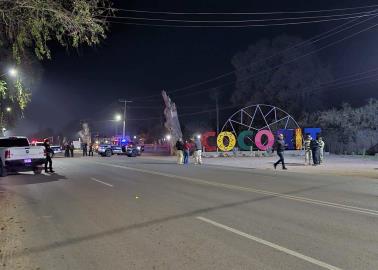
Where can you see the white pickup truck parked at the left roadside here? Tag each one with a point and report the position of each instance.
(17, 155)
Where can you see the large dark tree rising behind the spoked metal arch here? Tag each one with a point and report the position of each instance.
(265, 75)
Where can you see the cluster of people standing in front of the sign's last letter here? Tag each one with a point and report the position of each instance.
(314, 150)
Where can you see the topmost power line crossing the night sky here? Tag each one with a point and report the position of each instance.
(246, 13)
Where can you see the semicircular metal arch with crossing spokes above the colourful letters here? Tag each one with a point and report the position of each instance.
(259, 117)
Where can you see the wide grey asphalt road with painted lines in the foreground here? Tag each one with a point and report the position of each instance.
(139, 213)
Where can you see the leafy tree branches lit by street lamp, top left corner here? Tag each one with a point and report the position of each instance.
(31, 26)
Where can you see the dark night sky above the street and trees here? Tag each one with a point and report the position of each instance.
(137, 61)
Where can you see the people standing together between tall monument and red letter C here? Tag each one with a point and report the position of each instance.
(183, 150)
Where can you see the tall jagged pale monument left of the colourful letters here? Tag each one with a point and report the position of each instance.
(172, 123)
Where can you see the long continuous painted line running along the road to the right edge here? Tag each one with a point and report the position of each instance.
(252, 190)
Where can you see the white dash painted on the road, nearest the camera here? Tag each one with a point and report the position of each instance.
(272, 245)
